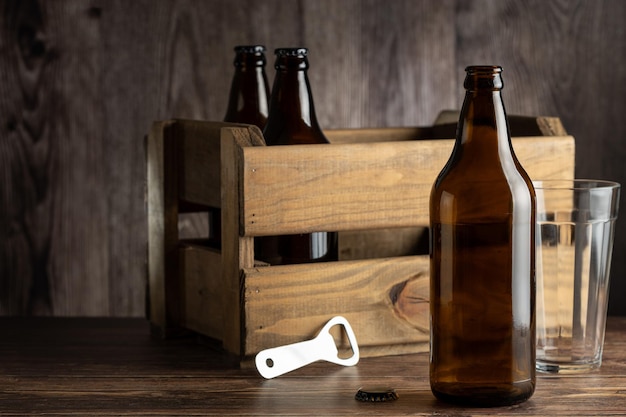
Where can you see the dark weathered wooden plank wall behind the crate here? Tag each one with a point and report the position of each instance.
(81, 82)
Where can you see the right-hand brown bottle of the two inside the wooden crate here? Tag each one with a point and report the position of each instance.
(292, 121)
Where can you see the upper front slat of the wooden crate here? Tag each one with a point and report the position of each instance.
(306, 188)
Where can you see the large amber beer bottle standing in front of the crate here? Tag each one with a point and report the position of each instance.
(482, 260)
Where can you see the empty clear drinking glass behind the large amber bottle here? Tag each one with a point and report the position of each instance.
(575, 224)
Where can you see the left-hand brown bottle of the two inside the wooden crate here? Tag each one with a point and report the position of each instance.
(248, 103)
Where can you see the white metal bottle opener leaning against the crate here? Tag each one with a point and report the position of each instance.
(280, 360)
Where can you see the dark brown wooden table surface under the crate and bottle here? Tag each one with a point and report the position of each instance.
(104, 367)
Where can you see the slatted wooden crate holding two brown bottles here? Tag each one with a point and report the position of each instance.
(371, 185)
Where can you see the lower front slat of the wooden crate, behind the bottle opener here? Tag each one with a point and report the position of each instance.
(385, 301)
